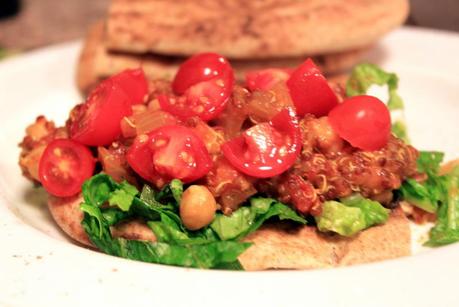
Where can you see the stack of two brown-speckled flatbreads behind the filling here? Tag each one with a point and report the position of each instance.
(159, 34)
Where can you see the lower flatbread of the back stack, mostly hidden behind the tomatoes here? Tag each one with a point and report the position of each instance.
(97, 63)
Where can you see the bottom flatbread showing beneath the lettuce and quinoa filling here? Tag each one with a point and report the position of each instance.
(275, 246)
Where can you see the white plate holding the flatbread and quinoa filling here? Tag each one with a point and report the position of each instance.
(38, 267)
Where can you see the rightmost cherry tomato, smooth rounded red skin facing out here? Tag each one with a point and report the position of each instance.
(364, 121)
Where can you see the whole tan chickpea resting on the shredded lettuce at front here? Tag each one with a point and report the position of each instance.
(197, 207)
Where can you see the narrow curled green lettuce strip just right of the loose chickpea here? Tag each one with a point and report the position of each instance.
(246, 220)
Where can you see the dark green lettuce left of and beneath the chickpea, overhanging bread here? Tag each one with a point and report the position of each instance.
(175, 245)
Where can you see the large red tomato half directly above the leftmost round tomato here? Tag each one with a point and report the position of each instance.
(97, 121)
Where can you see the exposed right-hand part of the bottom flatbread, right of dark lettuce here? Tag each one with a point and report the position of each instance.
(304, 248)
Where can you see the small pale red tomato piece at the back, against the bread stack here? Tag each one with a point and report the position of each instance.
(265, 79)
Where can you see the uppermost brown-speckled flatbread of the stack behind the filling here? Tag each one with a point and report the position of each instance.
(250, 29)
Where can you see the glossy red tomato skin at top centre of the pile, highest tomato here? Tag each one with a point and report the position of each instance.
(200, 68)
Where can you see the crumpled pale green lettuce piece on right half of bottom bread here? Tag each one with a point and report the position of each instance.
(351, 215)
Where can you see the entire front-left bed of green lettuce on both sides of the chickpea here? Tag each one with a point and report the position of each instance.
(215, 246)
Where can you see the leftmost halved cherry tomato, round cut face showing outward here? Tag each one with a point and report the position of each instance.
(64, 166)
